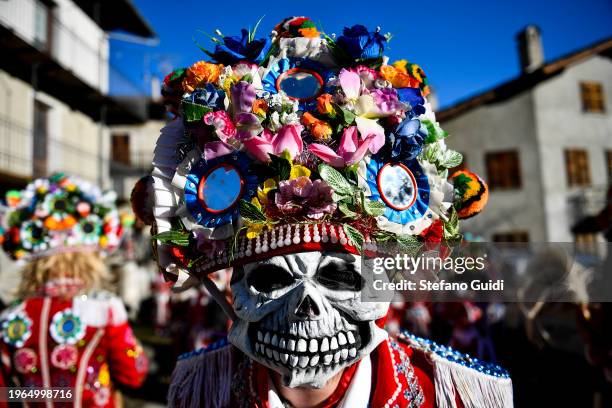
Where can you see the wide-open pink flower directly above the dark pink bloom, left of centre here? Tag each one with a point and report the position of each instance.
(289, 138)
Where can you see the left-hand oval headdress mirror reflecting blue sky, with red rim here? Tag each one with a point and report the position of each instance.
(220, 188)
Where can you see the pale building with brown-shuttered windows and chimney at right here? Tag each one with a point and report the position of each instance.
(543, 142)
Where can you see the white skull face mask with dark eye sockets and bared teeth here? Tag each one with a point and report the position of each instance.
(302, 315)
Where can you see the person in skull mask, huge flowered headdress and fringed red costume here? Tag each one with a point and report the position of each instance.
(293, 157)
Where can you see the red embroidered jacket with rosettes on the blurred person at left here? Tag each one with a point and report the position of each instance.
(84, 342)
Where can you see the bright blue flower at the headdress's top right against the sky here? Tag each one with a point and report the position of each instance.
(360, 43)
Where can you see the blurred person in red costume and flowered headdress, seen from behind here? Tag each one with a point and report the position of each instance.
(65, 331)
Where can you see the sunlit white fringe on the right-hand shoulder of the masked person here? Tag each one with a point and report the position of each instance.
(475, 389)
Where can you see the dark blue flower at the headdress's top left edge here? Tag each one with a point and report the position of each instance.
(235, 49)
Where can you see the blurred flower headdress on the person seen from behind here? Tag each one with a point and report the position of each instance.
(57, 214)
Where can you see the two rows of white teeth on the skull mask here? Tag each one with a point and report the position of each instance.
(307, 353)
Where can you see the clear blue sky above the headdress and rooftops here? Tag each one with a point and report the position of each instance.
(463, 46)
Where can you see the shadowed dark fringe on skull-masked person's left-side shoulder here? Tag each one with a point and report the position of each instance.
(202, 378)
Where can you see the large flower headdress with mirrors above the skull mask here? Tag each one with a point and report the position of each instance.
(300, 142)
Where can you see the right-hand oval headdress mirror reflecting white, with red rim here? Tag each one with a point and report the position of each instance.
(397, 186)
